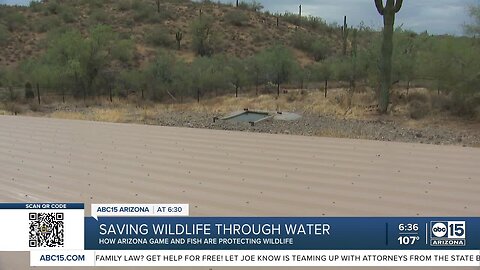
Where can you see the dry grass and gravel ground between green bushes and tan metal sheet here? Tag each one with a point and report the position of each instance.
(326, 117)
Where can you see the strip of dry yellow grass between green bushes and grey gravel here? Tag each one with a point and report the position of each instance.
(299, 101)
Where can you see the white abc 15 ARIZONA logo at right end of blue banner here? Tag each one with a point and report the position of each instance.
(448, 233)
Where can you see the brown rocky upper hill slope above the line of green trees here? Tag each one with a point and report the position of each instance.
(243, 31)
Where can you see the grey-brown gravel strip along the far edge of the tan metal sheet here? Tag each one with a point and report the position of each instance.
(315, 125)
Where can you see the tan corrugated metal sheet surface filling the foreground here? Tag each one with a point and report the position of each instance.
(230, 173)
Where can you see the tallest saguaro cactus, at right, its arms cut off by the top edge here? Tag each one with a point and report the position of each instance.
(388, 12)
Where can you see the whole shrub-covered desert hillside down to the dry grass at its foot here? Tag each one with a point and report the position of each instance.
(67, 56)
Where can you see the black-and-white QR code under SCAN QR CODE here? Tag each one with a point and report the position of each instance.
(46, 230)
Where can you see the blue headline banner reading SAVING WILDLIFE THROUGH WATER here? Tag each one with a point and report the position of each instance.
(281, 233)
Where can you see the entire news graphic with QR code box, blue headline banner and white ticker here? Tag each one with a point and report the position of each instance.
(59, 234)
